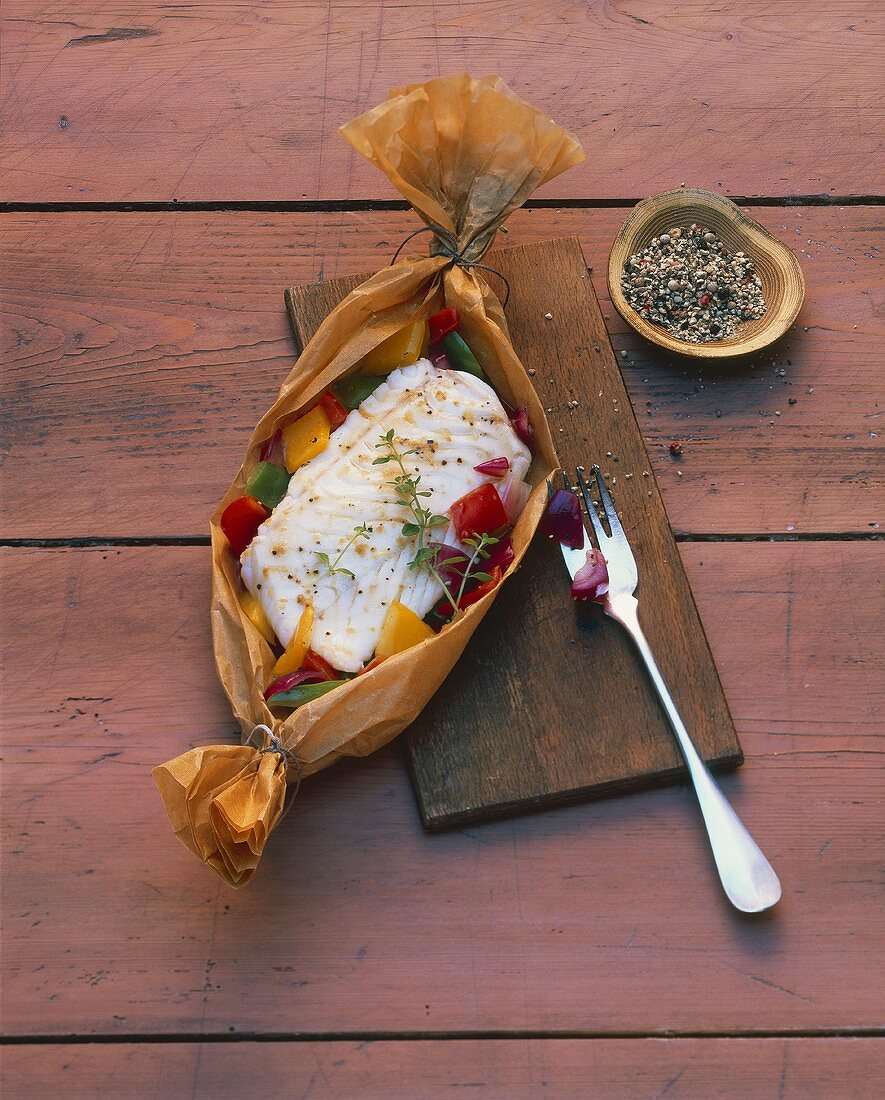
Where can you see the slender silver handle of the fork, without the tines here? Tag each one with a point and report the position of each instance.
(747, 876)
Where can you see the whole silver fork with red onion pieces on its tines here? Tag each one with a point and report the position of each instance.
(747, 876)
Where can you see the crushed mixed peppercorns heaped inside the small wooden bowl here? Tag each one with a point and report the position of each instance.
(688, 282)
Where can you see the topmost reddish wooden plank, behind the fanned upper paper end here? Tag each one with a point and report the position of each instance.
(220, 102)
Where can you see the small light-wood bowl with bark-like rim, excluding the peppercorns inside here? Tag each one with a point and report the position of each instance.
(783, 284)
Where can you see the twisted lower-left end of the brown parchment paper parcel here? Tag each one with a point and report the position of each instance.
(224, 802)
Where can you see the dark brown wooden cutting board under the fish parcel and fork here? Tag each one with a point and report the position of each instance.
(549, 702)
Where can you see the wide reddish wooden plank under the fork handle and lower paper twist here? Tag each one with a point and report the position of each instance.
(603, 917)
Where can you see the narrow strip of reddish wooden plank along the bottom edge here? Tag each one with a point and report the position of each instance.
(510, 1070)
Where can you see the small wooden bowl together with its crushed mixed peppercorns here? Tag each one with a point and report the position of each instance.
(692, 273)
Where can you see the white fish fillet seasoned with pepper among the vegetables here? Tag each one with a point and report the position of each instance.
(455, 422)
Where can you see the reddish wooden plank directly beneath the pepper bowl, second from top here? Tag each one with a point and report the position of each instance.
(149, 345)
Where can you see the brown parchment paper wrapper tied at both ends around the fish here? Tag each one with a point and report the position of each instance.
(466, 153)
